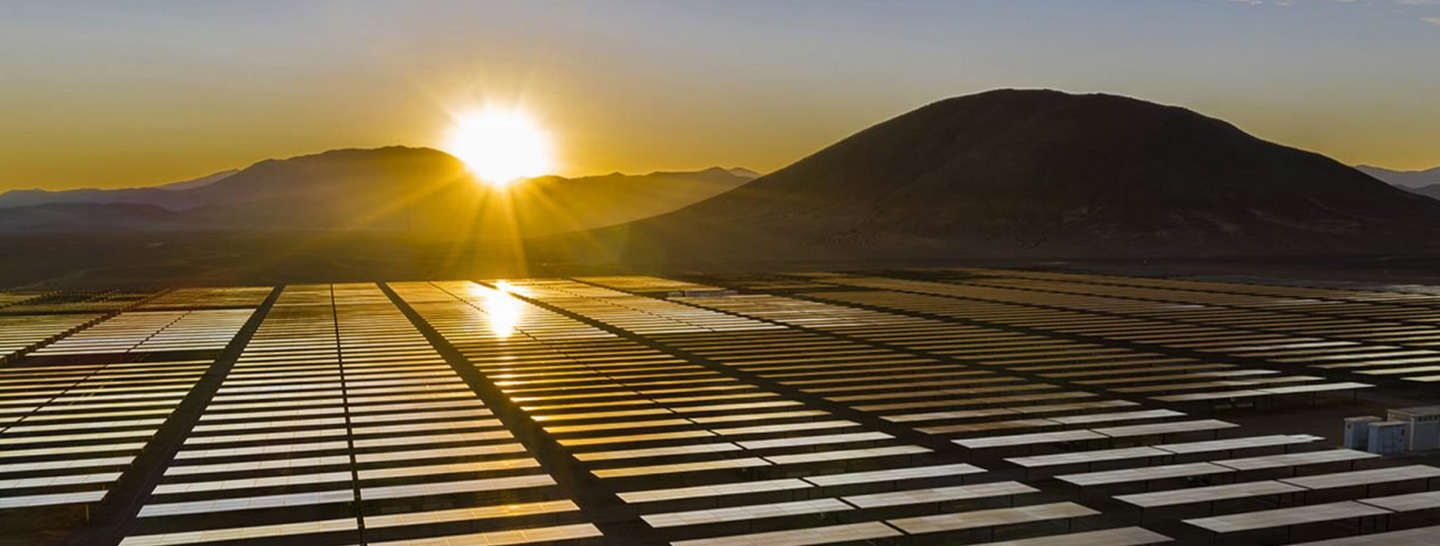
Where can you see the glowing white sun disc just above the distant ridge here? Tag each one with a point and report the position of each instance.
(500, 145)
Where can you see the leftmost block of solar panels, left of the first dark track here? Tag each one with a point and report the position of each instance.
(89, 387)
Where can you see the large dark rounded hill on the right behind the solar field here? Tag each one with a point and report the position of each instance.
(1043, 174)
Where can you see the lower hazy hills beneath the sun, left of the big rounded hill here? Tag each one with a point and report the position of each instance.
(392, 189)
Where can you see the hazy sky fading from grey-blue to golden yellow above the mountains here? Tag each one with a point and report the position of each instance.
(114, 94)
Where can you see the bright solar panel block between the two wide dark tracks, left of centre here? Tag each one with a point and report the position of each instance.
(342, 417)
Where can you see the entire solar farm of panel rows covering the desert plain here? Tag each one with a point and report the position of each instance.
(925, 407)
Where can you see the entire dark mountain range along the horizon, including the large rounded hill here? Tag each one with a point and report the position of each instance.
(997, 175)
